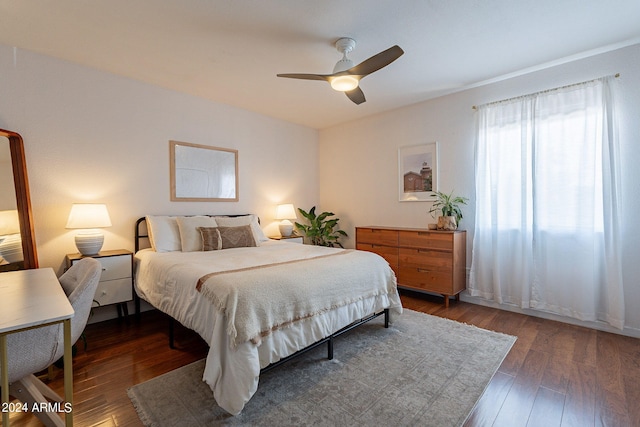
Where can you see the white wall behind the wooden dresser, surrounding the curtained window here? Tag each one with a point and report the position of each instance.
(358, 160)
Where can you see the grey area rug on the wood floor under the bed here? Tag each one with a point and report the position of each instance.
(422, 371)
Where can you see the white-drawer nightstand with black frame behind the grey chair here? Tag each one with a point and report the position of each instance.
(116, 281)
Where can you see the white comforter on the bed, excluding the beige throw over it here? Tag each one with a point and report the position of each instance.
(168, 281)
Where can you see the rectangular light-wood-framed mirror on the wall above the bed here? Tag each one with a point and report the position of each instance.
(201, 173)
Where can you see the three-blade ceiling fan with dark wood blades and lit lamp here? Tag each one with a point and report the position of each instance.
(346, 77)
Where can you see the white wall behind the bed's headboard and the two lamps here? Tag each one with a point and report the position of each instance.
(93, 136)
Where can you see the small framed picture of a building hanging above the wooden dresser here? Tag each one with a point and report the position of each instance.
(418, 172)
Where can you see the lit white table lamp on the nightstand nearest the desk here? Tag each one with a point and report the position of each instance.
(89, 218)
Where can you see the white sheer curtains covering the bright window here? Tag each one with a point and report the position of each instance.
(547, 195)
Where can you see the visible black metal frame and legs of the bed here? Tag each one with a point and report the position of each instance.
(139, 235)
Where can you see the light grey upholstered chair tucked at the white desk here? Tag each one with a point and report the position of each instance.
(36, 349)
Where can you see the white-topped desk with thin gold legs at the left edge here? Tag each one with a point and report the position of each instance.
(32, 299)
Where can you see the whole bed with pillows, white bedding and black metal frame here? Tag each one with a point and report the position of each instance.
(255, 301)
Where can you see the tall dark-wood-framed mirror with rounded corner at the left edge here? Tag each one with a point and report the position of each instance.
(17, 241)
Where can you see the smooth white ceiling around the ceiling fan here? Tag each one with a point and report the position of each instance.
(230, 51)
